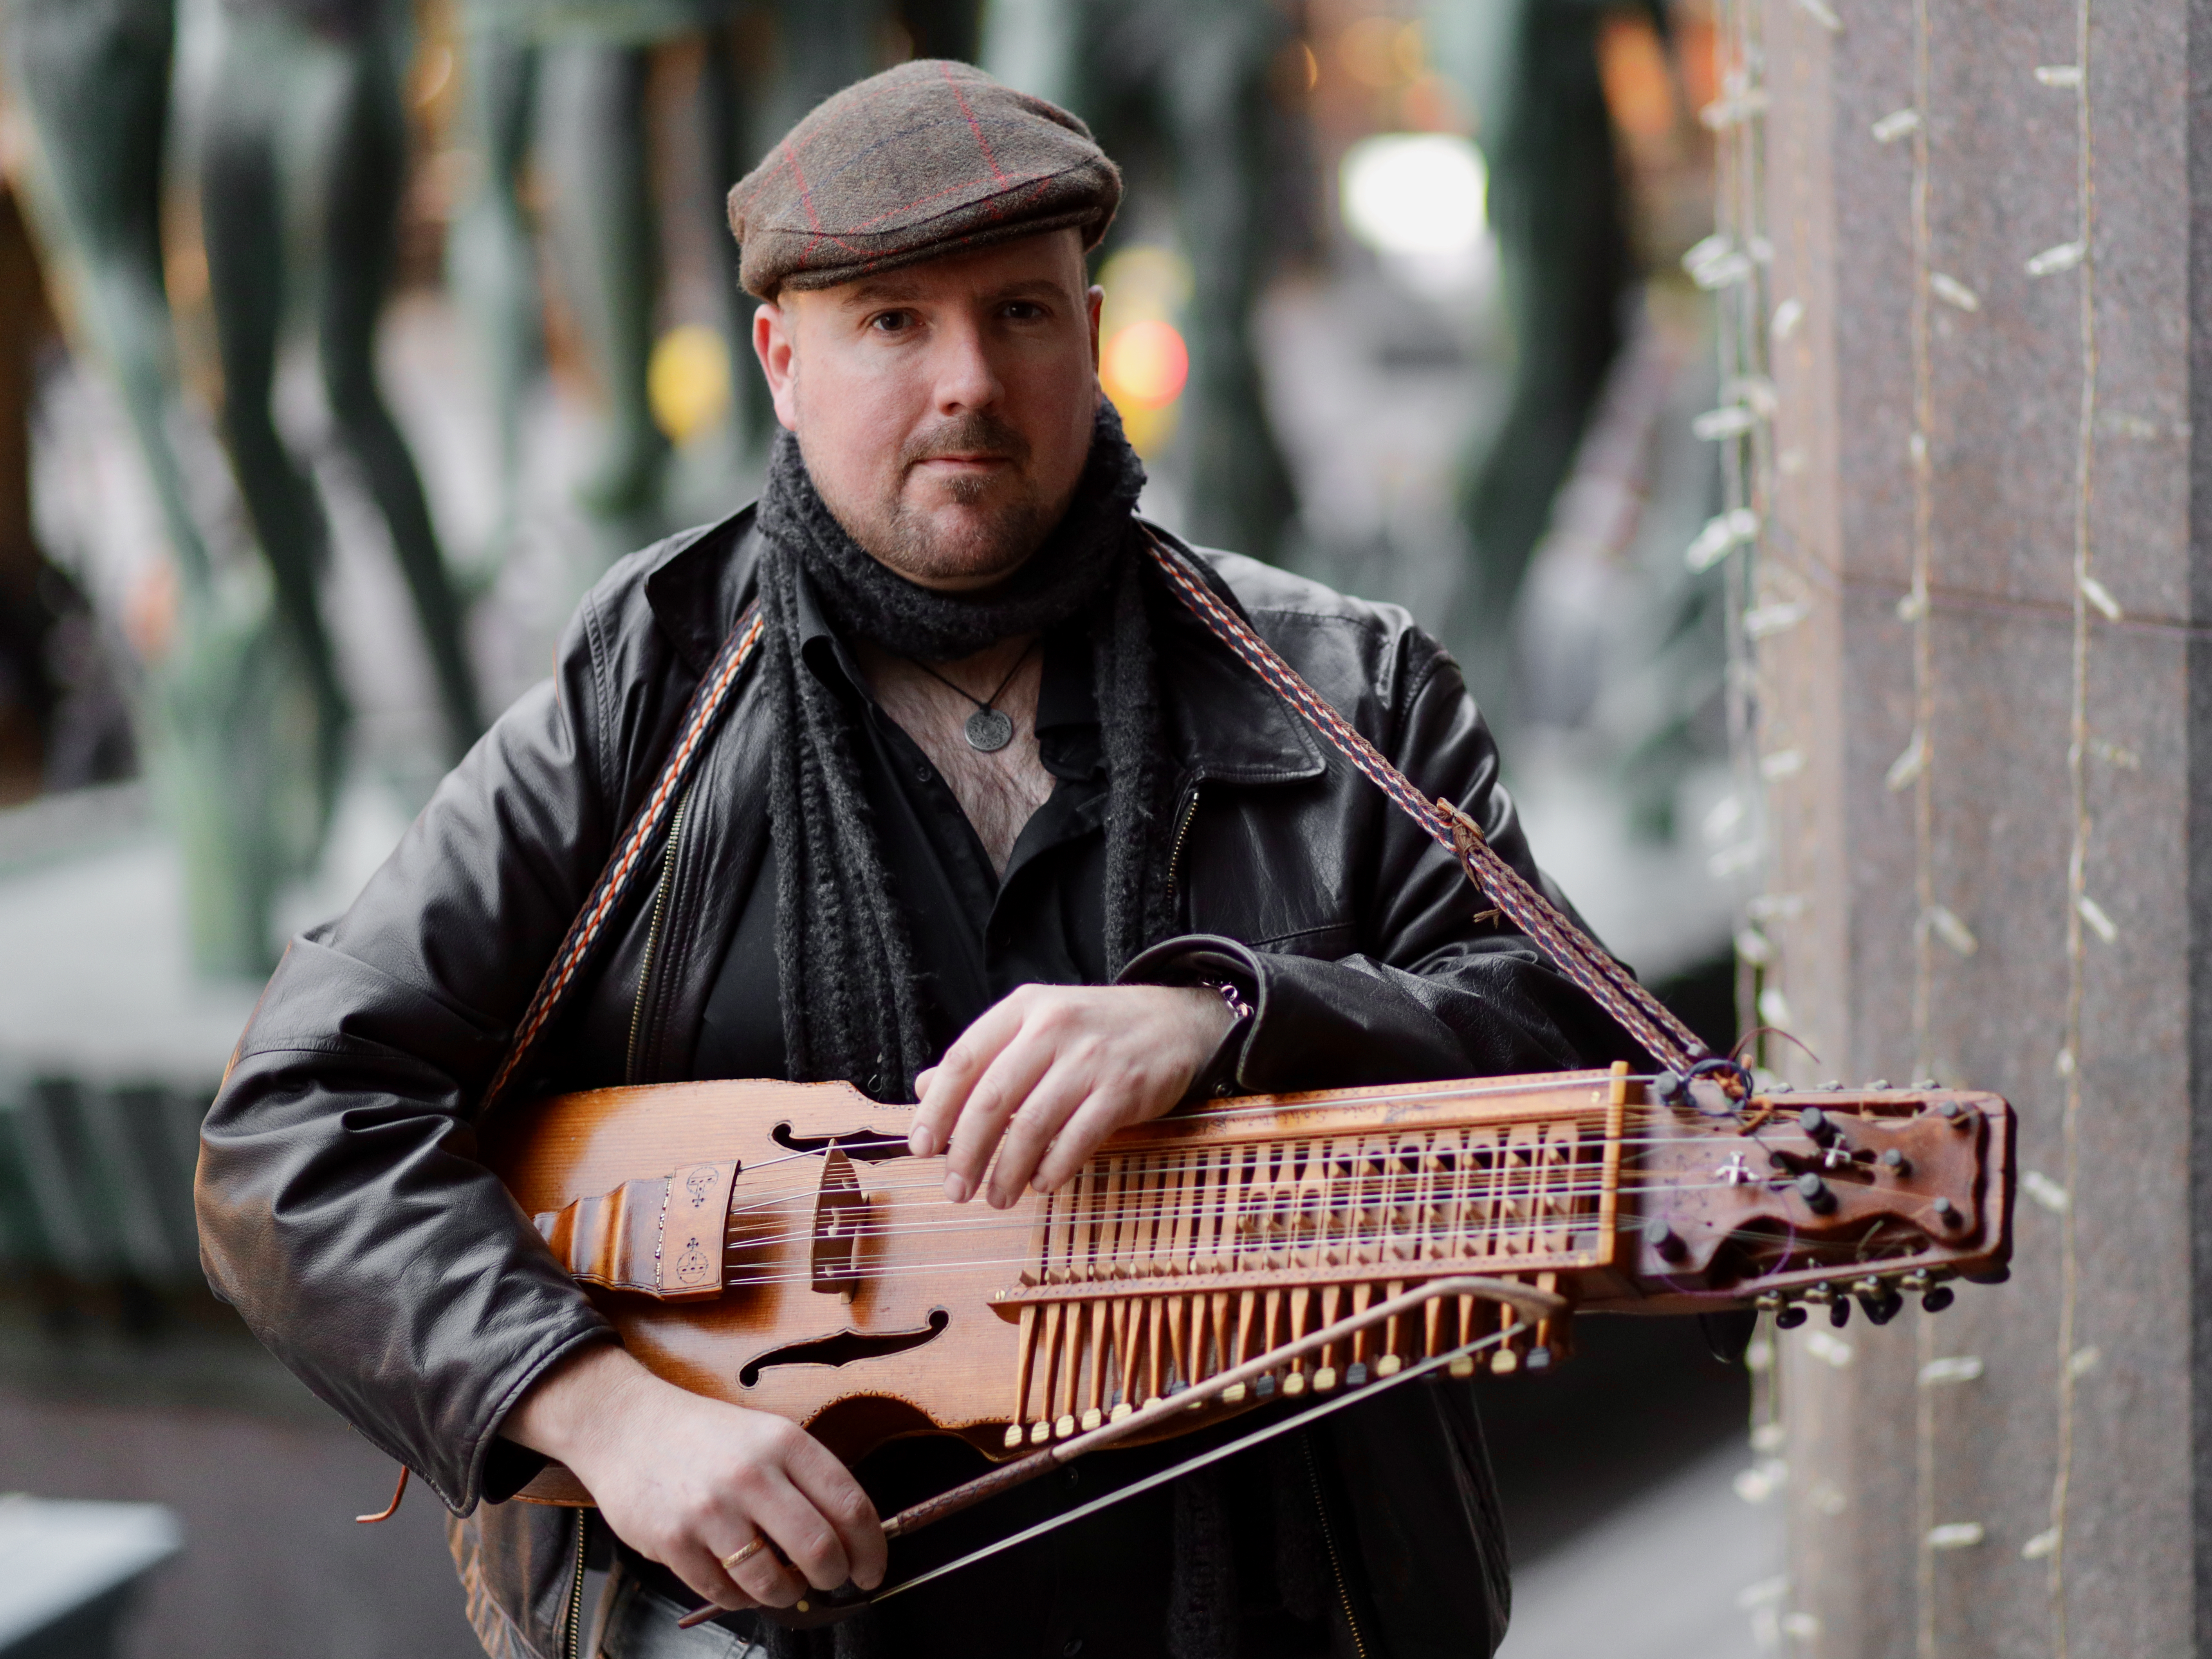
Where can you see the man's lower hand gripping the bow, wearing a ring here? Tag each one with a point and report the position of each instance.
(689, 1481)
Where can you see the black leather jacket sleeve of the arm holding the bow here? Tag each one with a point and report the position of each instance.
(342, 1204)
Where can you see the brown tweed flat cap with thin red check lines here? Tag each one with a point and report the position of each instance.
(919, 163)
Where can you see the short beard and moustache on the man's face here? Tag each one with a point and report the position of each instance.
(908, 539)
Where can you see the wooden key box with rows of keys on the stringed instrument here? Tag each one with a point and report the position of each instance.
(1160, 1269)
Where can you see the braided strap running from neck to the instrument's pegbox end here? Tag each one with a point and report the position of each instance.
(1583, 959)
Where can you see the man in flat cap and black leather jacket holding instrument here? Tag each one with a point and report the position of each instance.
(992, 826)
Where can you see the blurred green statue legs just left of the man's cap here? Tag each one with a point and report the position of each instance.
(572, 79)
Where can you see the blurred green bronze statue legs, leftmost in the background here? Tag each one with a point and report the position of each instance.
(247, 707)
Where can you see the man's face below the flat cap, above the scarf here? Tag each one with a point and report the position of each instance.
(943, 410)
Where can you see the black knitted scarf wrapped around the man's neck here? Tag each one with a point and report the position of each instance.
(842, 939)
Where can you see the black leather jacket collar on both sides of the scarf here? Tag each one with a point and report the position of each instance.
(1224, 722)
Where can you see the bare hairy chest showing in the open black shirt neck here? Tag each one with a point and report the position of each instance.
(999, 793)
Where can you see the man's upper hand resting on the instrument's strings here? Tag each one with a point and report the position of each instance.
(1052, 1072)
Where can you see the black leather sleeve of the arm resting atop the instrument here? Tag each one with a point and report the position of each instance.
(1434, 990)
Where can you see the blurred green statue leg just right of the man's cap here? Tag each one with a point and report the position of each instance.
(1182, 87)
